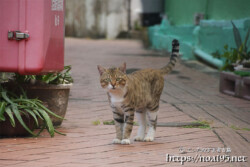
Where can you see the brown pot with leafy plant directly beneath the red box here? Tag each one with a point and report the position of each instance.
(52, 89)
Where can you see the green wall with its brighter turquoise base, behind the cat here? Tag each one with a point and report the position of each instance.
(213, 33)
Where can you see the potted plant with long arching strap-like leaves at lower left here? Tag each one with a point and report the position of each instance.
(19, 114)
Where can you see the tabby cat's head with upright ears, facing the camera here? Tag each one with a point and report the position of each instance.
(113, 78)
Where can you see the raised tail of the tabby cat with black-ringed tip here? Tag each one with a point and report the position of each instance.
(173, 59)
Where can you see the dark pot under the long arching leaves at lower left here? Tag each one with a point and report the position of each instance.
(7, 130)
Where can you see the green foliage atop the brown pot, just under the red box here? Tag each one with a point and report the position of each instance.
(63, 77)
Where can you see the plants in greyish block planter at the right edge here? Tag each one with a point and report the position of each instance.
(234, 78)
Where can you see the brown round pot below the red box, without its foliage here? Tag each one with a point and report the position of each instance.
(54, 97)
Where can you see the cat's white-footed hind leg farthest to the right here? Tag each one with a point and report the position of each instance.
(152, 122)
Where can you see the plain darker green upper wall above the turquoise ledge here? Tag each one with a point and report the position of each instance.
(181, 12)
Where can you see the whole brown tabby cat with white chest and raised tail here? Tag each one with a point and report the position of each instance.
(137, 93)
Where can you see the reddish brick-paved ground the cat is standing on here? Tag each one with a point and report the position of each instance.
(189, 95)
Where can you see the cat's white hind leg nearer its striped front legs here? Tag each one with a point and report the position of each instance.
(141, 117)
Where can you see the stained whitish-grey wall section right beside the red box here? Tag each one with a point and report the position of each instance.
(95, 18)
